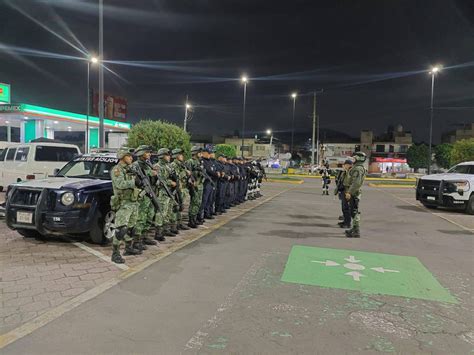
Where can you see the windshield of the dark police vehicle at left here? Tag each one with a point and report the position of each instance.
(88, 168)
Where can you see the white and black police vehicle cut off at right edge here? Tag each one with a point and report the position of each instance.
(454, 189)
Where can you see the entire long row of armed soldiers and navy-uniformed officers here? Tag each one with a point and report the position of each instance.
(149, 199)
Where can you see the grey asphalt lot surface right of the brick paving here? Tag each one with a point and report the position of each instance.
(225, 294)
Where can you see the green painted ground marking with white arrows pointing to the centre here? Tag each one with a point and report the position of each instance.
(372, 273)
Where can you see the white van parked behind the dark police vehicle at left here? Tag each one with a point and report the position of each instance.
(28, 161)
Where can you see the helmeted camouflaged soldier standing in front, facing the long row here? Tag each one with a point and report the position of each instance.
(356, 180)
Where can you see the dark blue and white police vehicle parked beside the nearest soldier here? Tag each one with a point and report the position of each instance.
(74, 202)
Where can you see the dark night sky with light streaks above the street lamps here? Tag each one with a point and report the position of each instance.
(370, 57)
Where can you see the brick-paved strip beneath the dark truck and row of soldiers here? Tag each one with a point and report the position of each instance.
(38, 275)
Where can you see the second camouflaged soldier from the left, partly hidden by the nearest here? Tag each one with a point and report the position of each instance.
(146, 210)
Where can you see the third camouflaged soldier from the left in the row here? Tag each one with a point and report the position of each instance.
(162, 217)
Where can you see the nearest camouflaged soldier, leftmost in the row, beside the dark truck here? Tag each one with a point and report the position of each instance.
(125, 204)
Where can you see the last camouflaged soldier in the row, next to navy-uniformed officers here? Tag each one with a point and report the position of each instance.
(194, 165)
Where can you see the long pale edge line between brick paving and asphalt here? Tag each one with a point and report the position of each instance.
(44, 319)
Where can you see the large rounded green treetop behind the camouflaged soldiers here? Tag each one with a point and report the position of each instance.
(159, 134)
